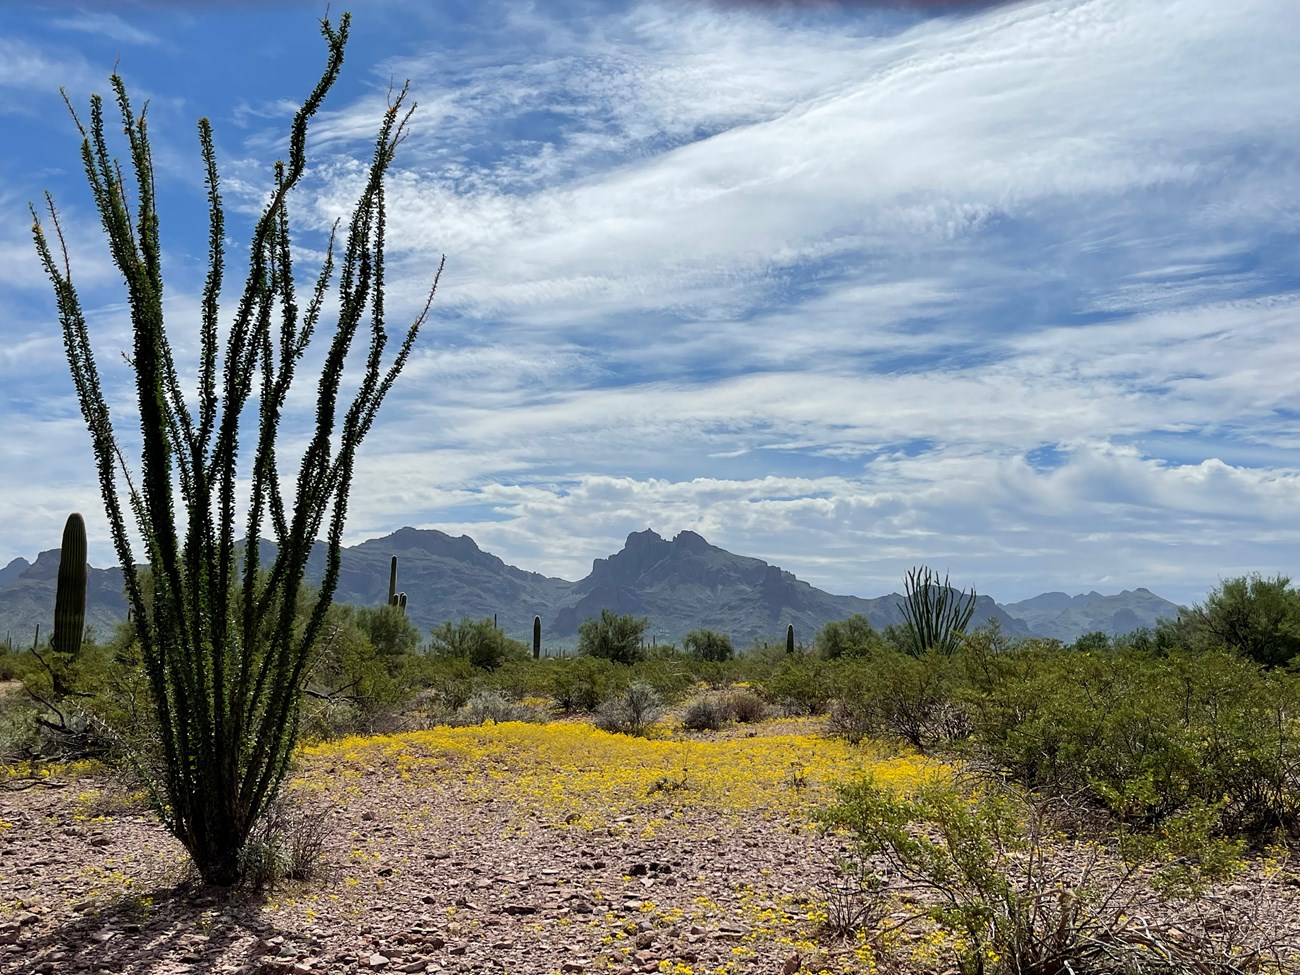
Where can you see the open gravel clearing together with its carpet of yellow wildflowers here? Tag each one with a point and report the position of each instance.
(521, 848)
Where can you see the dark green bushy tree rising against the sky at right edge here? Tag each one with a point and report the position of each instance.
(1255, 617)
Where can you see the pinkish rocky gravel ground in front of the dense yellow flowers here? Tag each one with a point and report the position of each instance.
(426, 876)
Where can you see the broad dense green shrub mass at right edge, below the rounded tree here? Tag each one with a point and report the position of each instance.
(1147, 738)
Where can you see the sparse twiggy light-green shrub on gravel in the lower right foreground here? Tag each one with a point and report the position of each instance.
(987, 878)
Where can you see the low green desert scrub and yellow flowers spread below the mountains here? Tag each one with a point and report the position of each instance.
(1029, 795)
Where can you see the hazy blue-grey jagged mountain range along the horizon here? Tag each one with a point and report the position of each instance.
(679, 584)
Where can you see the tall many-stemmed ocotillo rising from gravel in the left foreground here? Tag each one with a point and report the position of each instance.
(227, 683)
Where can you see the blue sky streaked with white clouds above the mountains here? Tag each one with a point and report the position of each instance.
(1011, 291)
